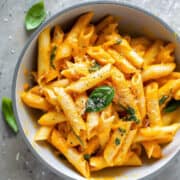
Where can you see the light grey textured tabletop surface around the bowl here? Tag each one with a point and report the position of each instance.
(16, 161)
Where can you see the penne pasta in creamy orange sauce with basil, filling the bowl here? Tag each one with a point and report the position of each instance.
(104, 96)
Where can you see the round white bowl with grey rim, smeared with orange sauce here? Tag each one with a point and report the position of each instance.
(132, 20)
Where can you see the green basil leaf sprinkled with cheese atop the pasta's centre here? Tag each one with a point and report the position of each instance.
(99, 99)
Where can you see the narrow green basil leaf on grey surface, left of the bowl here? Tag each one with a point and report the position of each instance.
(9, 117)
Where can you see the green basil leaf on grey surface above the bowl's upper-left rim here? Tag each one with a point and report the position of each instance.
(35, 16)
